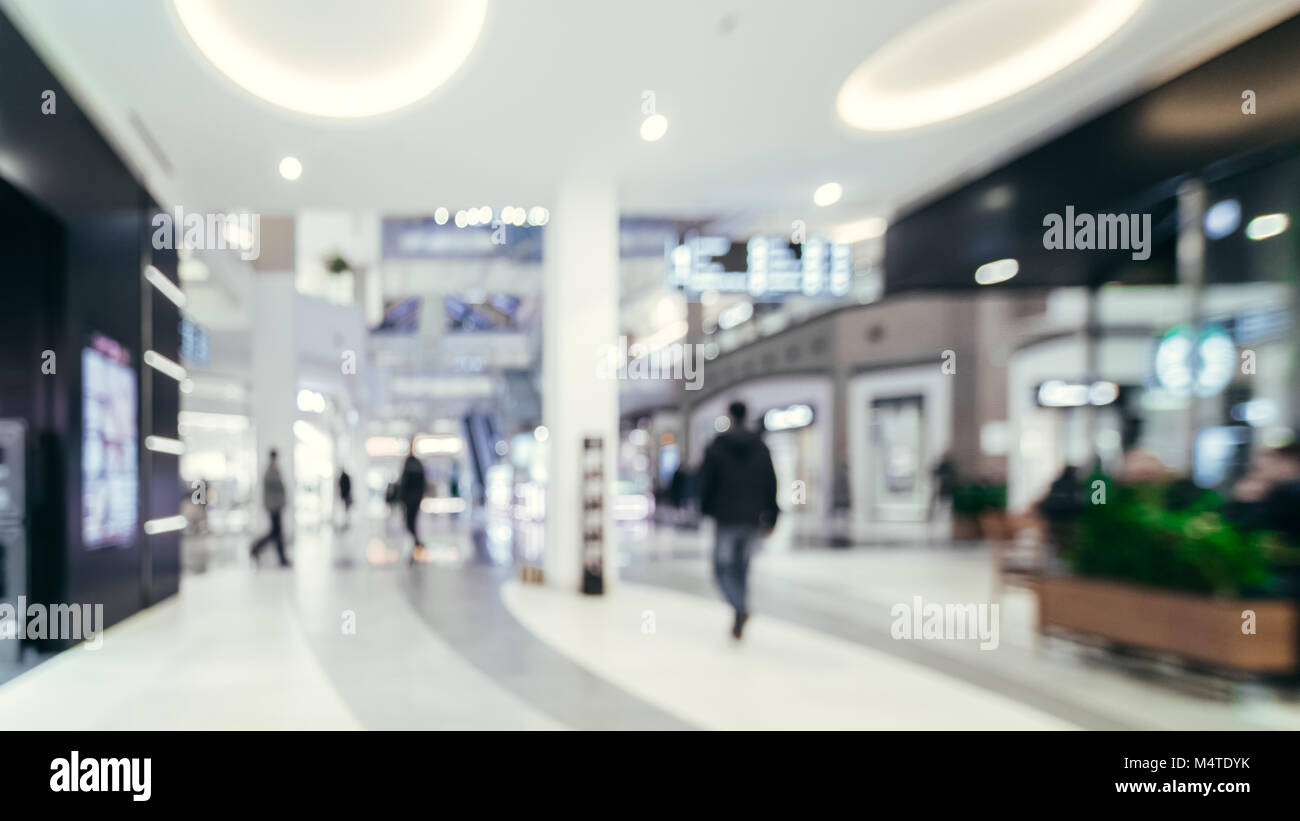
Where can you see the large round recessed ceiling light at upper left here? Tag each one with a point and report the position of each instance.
(336, 59)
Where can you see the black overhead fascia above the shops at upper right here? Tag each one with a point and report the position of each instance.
(1129, 160)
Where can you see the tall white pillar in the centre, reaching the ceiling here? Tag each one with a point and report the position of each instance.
(580, 316)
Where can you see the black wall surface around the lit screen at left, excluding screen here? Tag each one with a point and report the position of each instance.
(75, 242)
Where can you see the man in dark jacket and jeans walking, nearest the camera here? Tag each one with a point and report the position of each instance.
(738, 489)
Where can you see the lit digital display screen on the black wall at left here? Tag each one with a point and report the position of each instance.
(110, 463)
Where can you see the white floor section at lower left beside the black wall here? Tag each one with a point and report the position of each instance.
(227, 654)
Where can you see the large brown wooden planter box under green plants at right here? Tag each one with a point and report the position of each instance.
(1204, 629)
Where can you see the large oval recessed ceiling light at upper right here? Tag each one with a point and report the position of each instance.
(972, 55)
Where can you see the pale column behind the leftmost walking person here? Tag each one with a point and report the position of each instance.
(275, 380)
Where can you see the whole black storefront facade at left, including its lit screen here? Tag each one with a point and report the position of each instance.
(75, 242)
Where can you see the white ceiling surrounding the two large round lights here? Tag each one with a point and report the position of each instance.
(749, 92)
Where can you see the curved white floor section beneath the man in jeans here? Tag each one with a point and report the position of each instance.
(673, 650)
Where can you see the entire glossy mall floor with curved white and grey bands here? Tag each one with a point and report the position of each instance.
(356, 638)
